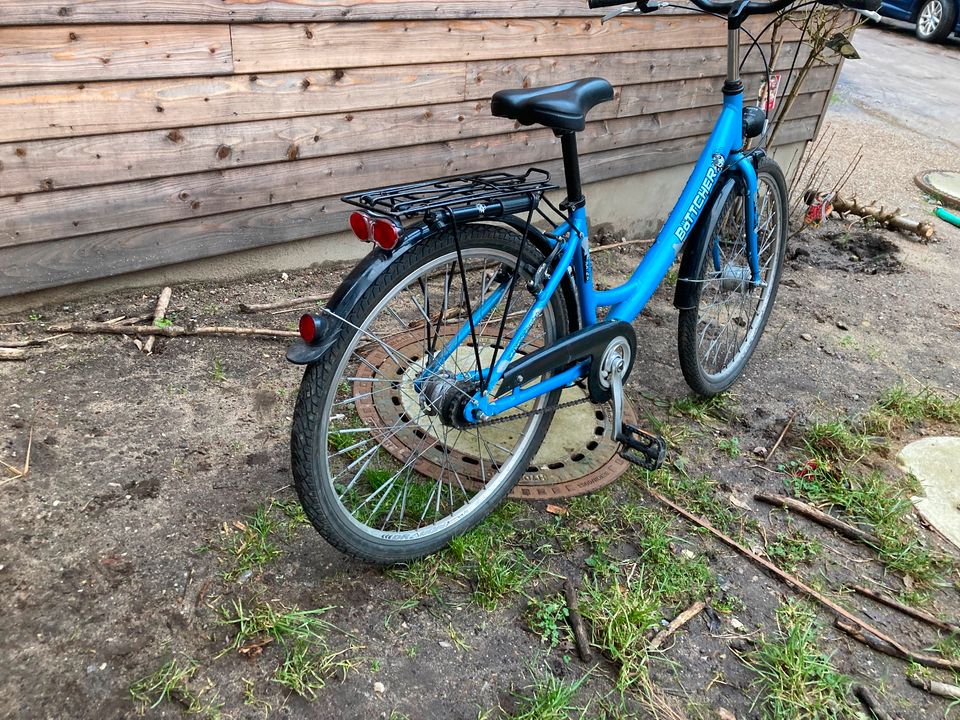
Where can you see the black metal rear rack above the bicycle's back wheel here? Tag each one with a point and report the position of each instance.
(415, 199)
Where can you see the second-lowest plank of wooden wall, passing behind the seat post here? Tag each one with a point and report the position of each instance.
(64, 213)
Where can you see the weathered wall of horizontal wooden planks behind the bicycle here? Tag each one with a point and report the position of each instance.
(140, 133)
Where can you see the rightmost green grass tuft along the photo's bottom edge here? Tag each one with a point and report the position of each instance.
(797, 679)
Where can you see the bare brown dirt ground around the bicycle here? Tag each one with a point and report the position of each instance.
(114, 547)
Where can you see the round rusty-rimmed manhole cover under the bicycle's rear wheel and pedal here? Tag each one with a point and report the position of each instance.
(576, 457)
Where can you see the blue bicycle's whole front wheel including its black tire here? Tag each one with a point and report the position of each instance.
(727, 306)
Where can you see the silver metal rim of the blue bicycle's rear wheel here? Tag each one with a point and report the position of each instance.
(502, 474)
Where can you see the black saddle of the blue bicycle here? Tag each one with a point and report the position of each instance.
(561, 107)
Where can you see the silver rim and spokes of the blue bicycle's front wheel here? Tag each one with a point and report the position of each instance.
(728, 325)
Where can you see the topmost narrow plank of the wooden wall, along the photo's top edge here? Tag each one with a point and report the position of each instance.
(35, 12)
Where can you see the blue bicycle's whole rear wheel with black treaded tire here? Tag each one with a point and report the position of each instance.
(342, 384)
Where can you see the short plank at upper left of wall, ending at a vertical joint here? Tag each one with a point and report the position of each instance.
(35, 55)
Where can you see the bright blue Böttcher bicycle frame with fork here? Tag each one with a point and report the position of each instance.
(722, 152)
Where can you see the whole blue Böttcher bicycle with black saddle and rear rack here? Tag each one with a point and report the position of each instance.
(436, 368)
